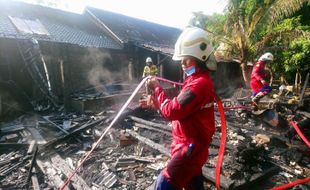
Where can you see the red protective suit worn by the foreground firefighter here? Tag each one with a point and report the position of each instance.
(192, 115)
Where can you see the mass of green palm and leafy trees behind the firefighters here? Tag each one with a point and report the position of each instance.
(252, 27)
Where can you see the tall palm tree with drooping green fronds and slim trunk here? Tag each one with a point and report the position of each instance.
(248, 19)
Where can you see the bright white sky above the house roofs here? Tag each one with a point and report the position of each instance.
(174, 13)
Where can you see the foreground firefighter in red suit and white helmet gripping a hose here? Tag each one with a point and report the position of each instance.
(191, 113)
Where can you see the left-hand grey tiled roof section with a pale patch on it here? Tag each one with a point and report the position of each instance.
(64, 27)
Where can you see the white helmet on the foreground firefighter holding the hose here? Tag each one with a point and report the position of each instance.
(193, 42)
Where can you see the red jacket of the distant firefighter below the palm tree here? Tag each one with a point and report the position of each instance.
(258, 74)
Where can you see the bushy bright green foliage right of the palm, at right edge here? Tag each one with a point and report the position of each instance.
(292, 53)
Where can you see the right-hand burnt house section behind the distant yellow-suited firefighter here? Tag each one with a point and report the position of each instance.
(141, 39)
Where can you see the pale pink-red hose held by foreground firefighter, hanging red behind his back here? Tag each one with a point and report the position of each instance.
(222, 144)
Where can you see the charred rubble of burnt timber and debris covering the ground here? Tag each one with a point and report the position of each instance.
(134, 151)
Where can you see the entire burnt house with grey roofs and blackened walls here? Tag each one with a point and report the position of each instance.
(47, 54)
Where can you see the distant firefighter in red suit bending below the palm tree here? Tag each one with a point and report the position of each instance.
(259, 86)
